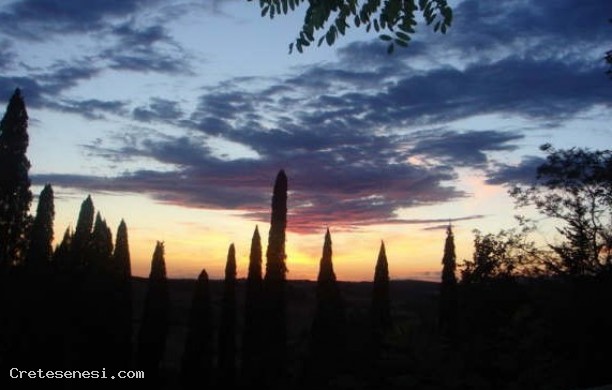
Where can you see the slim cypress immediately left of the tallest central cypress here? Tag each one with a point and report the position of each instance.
(251, 339)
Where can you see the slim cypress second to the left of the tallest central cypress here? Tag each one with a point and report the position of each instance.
(227, 329)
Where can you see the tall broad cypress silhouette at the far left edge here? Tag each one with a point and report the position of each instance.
(15, 194)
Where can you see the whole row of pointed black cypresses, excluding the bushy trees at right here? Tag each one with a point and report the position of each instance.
(71, 306)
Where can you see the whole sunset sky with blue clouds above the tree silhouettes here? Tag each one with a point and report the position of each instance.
(176, 116)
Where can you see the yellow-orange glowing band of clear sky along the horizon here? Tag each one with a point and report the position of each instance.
(197, 238)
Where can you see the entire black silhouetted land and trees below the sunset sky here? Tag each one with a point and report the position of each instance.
(518, 318)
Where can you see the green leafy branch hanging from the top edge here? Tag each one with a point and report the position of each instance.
(394, 20)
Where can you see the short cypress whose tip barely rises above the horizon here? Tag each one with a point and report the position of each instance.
(197, 360)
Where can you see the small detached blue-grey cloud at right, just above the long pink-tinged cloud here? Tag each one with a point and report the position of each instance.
(464, 149)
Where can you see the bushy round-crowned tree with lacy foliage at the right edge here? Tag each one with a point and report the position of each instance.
(574, 186)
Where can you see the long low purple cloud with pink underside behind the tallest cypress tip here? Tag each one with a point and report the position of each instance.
(324, 191)
